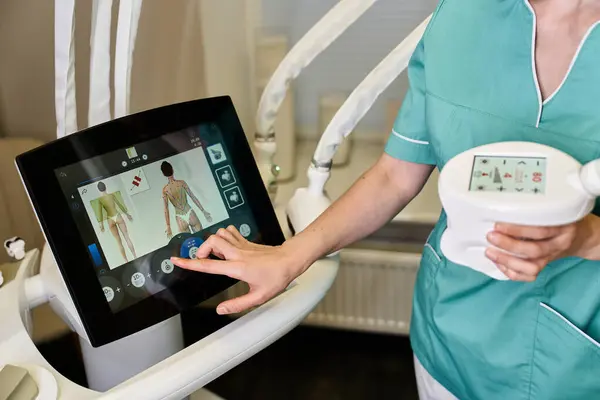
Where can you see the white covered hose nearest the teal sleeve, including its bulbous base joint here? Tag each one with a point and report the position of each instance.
(308, 204)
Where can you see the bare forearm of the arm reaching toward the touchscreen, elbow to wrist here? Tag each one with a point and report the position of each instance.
(370, 203)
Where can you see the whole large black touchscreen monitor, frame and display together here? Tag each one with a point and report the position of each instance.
(117, 201)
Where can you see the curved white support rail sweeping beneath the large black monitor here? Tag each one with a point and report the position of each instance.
(183, 373)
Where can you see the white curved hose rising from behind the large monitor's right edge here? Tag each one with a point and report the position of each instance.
(319, 38)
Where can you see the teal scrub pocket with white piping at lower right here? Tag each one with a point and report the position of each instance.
(566, 361)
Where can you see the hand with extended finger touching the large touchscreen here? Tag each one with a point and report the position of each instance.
(267, 270)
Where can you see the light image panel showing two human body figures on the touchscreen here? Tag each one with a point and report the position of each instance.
(138, 211)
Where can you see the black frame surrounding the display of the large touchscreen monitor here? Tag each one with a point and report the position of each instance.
(37, 168)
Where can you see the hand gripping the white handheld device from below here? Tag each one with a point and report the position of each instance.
(536, 247)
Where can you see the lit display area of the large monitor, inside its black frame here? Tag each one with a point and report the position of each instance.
(136, 207)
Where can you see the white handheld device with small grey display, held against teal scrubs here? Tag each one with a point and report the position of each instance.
(513, 182)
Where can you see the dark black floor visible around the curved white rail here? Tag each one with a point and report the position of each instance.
(308, 363)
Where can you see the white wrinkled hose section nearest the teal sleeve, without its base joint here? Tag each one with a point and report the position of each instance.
(364, 96)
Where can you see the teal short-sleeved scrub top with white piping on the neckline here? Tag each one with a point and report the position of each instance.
(472, 82)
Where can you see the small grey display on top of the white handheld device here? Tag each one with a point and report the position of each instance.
(508, 174)
